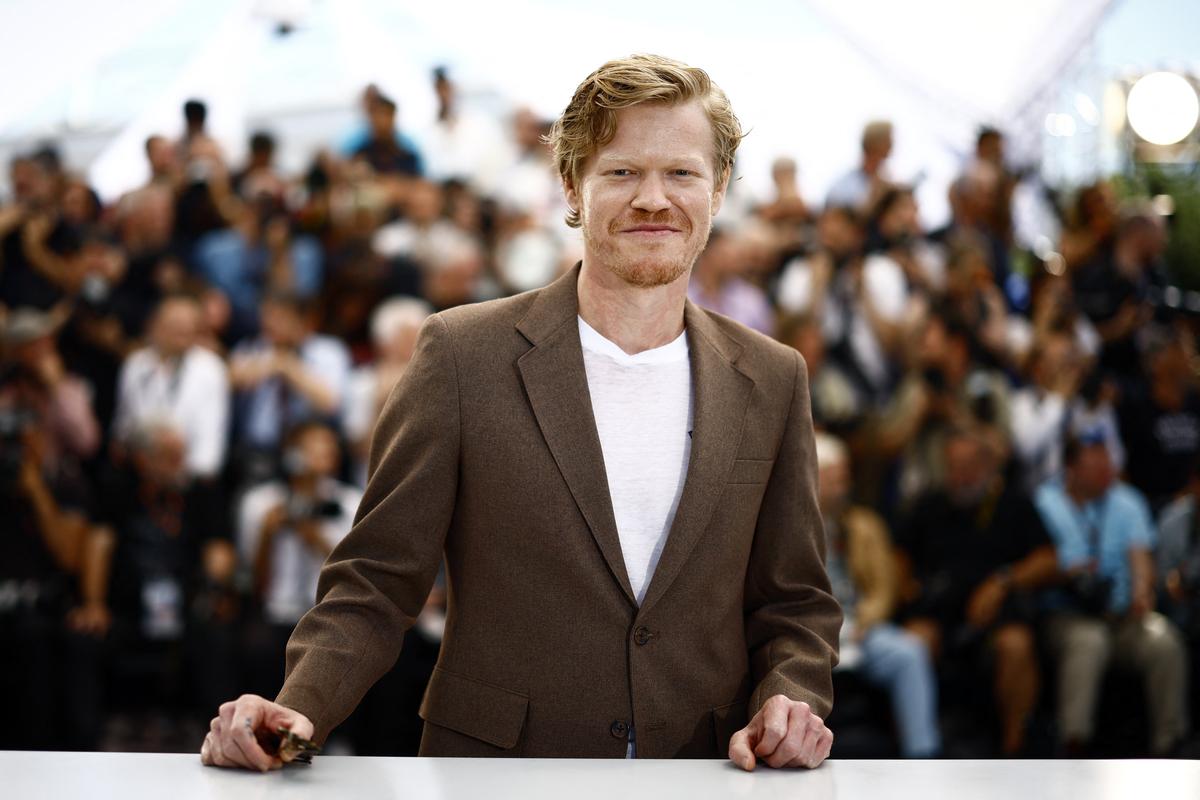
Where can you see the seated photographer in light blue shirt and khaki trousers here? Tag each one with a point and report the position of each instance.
(1103, 534)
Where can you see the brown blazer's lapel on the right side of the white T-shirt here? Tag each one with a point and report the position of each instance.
(721, 398)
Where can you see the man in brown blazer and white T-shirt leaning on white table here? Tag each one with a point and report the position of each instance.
(623, 486)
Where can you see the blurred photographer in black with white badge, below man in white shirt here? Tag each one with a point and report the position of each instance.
(172, 593)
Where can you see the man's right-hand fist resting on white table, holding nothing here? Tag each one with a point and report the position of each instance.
(784, 733)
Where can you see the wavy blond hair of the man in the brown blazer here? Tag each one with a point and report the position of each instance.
(590, 121)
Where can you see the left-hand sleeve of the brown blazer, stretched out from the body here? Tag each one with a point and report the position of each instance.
(376, 581)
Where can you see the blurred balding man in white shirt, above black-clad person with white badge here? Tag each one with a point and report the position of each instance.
(176, 378)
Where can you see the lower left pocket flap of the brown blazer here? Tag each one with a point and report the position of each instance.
(475, 709)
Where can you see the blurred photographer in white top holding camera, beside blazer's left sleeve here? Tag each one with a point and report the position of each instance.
(286, 531)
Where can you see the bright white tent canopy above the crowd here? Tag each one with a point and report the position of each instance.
(803, 76)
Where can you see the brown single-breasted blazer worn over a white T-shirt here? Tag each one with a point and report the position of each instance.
(488, 453)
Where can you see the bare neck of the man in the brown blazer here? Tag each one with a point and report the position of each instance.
(635, 320)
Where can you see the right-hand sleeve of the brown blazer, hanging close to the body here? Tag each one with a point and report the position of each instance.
(791, 617)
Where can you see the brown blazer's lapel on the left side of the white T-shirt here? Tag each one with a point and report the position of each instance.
(557, 387)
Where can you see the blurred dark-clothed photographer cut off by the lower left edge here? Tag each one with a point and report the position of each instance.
(49, 646)
